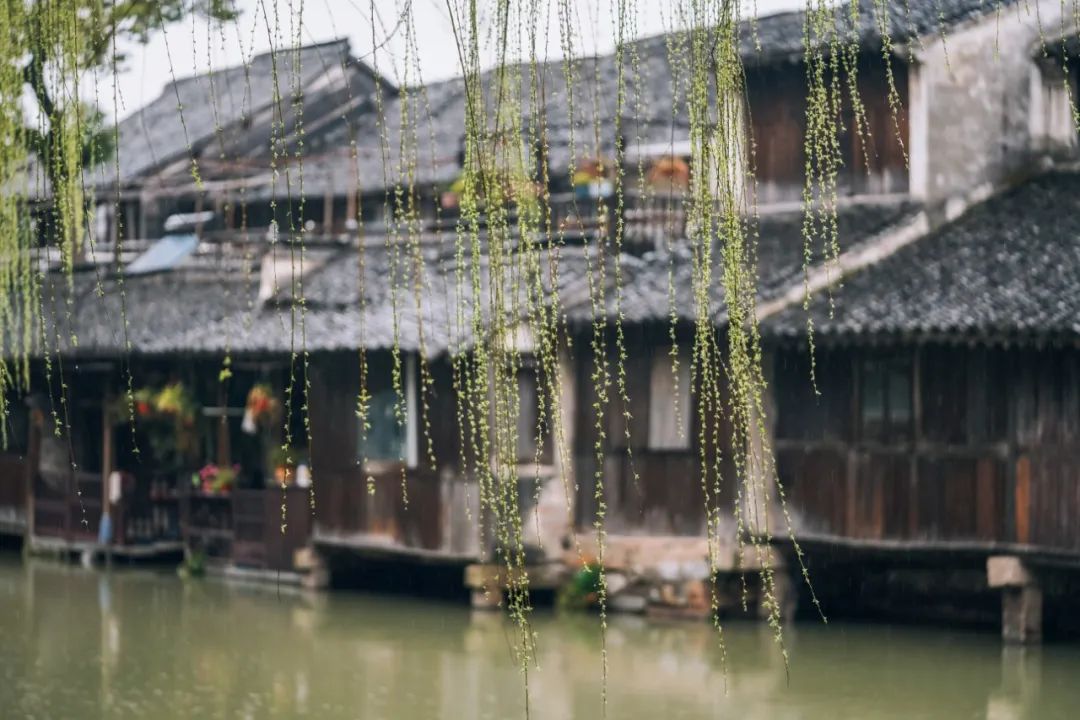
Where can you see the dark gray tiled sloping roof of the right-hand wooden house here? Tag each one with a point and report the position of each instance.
(1008, 269)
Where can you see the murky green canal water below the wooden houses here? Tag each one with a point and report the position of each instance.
(80, 645)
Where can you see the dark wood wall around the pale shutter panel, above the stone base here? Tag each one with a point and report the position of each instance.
(647, 492)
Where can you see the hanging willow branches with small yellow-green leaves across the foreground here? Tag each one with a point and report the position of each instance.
(509, 250)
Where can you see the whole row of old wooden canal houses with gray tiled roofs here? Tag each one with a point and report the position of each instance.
(953, 464)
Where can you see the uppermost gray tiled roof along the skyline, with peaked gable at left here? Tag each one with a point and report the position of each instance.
(652, 114)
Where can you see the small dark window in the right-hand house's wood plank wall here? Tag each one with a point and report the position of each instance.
(885, 400)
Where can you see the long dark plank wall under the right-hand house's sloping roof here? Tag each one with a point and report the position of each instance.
(933, 445)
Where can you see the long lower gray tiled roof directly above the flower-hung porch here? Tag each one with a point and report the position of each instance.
(201, 308)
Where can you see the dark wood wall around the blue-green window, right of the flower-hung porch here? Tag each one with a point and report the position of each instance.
(385, 504)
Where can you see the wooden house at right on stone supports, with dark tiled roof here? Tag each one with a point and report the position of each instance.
(946, 433)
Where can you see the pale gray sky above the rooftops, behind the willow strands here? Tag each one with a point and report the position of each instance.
(195, 47)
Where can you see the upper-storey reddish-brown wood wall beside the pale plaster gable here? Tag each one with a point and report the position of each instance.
(874, 160)
